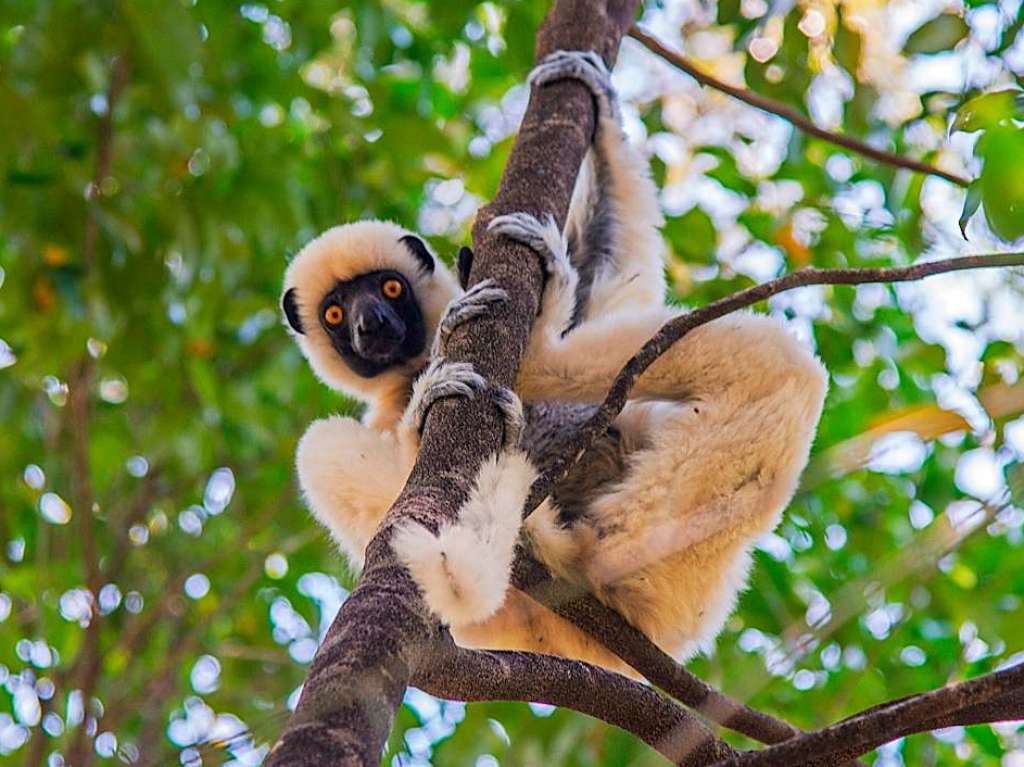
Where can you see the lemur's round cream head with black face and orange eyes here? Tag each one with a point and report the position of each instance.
(364, 302)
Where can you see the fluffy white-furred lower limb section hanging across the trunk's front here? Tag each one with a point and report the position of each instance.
(464, 571)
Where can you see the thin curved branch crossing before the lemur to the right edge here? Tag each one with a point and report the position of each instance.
(677, 328)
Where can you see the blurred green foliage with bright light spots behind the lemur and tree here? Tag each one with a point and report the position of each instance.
(161, 160)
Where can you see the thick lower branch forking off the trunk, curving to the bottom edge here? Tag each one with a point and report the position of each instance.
(453, 672)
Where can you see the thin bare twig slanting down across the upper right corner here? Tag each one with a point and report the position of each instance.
(789, 114)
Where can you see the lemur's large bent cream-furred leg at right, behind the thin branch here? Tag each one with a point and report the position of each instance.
(720, 458)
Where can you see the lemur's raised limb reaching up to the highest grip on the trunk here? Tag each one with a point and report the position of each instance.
(614, 221)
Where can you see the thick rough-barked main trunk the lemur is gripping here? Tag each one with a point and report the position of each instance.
(377, 642)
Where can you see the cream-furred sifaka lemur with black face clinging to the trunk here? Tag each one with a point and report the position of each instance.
(660, 519)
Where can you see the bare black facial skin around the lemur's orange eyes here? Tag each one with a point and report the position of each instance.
(376, 333)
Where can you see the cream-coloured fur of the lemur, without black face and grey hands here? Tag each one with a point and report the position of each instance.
(719, 428)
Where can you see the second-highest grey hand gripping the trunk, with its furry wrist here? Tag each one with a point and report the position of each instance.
(545, 240)
